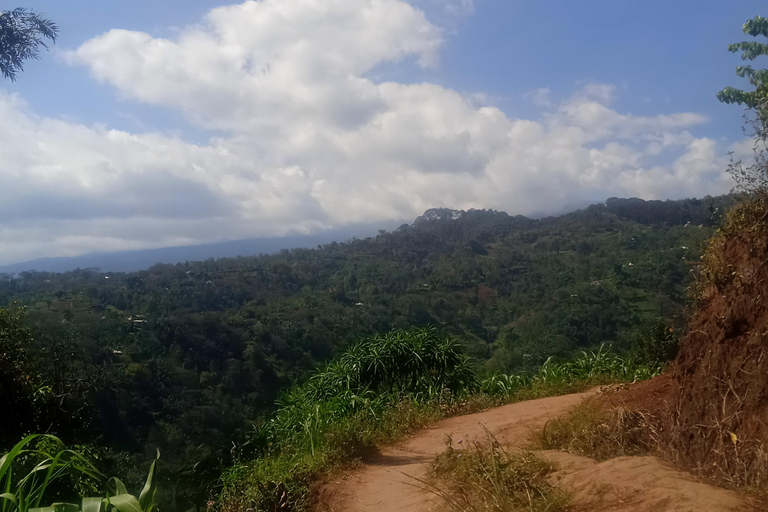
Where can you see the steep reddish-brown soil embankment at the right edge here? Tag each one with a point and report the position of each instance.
(719, 404)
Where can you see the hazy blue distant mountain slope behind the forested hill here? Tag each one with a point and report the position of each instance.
(130, 261)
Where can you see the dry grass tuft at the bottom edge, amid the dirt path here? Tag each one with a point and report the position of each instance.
(485, 477)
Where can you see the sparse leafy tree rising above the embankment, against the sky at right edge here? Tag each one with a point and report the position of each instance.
(754, 177)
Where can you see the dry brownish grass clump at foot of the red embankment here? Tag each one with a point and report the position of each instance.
(600, 433)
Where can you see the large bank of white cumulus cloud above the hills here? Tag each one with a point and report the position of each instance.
(306, 139)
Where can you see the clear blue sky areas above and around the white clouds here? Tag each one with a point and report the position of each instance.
(660, 53)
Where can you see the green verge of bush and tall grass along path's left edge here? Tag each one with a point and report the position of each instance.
(382, 388)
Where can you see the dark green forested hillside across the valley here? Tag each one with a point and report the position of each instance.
(187, 357)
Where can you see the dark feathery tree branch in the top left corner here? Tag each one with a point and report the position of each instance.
(22, 34)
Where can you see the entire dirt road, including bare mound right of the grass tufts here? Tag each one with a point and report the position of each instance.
(386, 483)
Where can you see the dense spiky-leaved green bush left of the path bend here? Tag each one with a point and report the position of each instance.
(370, 374)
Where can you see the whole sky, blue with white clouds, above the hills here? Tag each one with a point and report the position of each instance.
(153, 124)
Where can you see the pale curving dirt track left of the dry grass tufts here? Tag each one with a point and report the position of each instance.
(385, 483)
